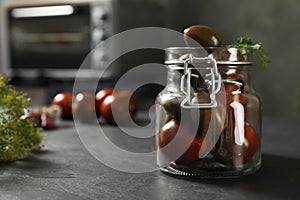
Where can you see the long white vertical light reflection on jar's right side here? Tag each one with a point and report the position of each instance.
(239, 113)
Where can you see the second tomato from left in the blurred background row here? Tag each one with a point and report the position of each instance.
(84, 107)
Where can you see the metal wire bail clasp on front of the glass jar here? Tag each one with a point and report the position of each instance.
(207, 68)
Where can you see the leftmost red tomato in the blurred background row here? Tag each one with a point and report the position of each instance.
(64, 101)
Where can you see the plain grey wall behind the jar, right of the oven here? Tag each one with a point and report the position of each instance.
(275, 23)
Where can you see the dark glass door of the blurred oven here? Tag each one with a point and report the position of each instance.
(53, 41)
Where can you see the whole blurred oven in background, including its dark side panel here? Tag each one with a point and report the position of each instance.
(50, 38)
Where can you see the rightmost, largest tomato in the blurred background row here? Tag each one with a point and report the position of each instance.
(119, 103)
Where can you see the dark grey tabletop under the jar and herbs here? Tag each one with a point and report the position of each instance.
(64, 169)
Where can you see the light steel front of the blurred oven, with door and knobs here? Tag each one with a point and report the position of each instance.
(52, 38)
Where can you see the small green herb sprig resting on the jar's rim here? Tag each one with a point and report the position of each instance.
(246, 42)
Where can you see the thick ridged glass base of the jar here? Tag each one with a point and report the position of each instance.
(216, 172)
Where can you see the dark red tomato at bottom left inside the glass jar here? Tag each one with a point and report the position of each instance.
(167, 134)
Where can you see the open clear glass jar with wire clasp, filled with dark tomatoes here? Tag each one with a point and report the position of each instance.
(208, 115)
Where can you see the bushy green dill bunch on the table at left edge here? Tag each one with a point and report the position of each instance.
(18, 136)
